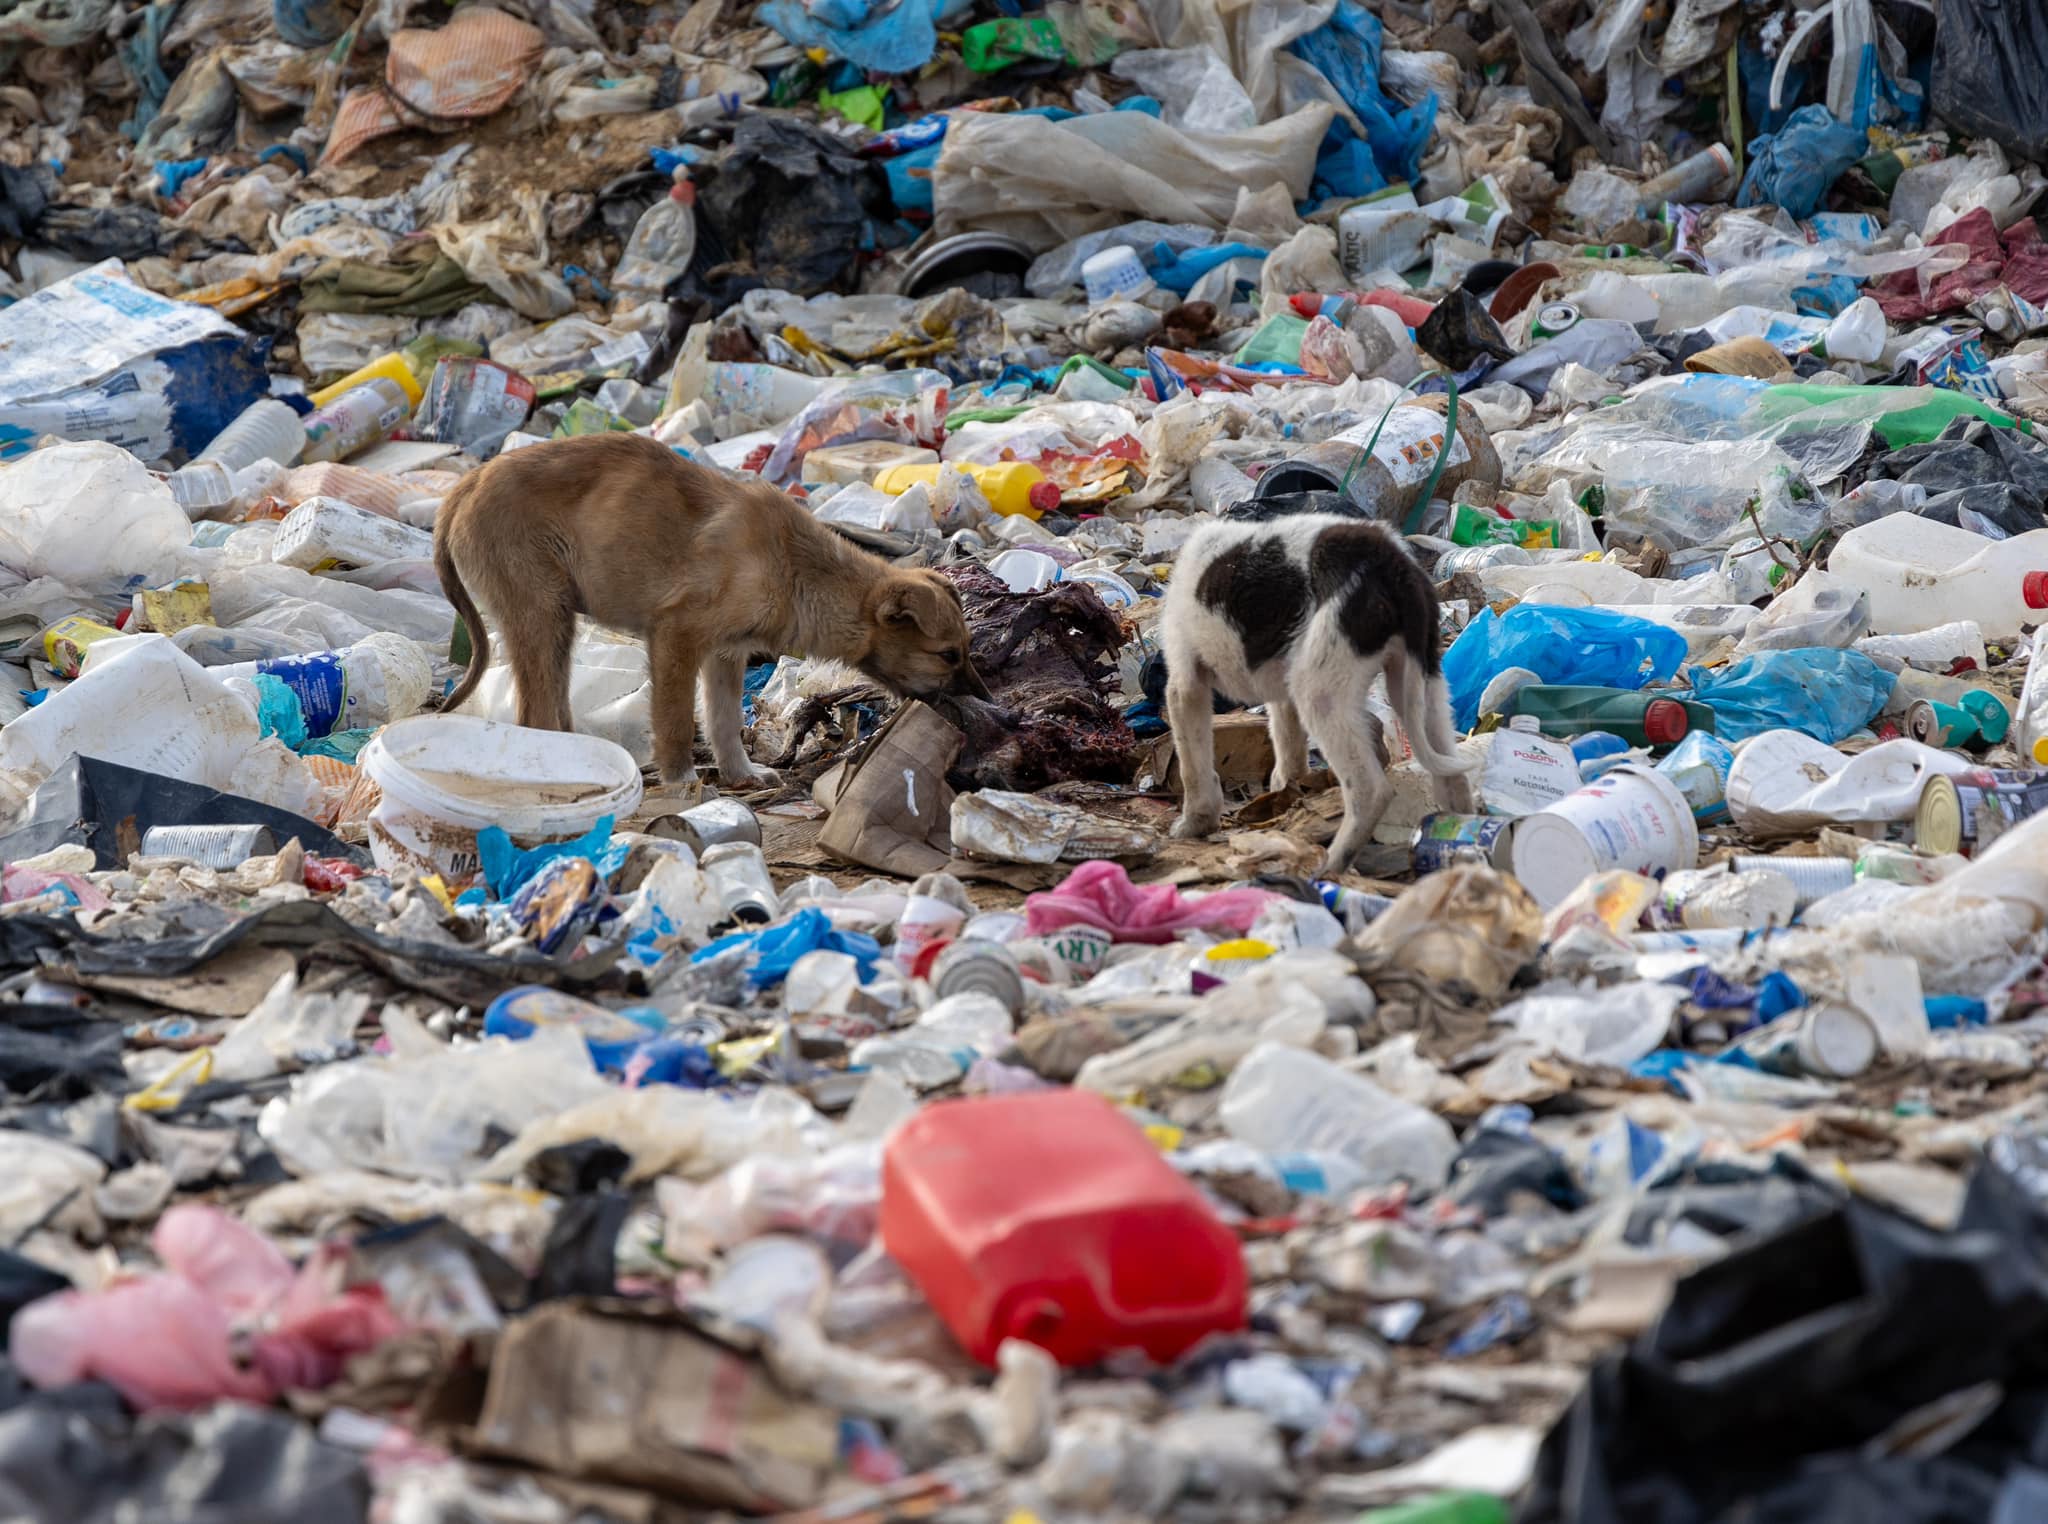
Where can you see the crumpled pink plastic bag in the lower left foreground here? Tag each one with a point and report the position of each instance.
(175, 1339)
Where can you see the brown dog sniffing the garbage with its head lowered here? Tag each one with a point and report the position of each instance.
(706, 568)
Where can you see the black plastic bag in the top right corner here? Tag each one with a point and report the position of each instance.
(1990, 62)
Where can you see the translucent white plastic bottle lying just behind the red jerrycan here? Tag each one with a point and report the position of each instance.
(1291, 1101)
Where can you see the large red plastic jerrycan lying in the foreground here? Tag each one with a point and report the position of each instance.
(1054, 1220)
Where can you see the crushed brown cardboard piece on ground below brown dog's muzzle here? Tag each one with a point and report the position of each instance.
(894, 810)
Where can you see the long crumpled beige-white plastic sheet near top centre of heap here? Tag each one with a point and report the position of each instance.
(1043, 181)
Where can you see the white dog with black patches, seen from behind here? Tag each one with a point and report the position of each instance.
(1304, 616)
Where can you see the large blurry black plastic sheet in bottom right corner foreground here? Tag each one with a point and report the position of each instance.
(1768, 1378)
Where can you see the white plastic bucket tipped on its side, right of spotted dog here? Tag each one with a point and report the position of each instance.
(1627, 818)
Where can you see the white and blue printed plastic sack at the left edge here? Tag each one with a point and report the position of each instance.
(99, 357)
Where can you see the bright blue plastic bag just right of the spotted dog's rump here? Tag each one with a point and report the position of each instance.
(1558, 644)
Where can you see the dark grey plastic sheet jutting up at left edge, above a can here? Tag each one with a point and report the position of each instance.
(108, 808)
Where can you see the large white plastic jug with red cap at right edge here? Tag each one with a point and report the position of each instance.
(1922, 575)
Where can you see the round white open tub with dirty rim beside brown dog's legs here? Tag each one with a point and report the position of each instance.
(447, 777)
